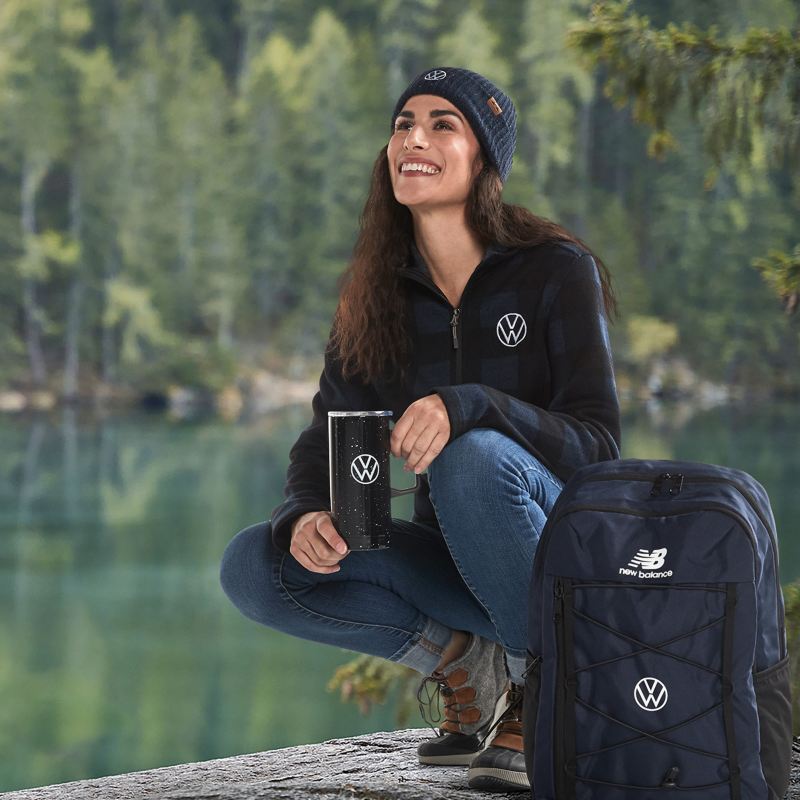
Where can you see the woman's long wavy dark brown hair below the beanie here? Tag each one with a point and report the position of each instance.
(368, 333)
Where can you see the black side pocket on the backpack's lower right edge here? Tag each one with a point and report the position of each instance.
(774, 703)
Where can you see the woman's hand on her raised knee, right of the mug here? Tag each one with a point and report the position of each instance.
(421, 433)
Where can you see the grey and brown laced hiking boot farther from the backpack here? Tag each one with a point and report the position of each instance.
(472, 688)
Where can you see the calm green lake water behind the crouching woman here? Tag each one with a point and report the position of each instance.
(118, 649)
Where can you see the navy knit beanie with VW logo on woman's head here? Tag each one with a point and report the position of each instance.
(489, 111)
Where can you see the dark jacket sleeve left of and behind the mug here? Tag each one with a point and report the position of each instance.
(307, 485)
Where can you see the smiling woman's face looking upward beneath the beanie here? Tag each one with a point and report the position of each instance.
(431, 154)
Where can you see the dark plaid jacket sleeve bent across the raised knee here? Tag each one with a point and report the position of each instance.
(581, 422)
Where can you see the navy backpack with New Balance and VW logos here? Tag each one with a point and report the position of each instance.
(657, 657)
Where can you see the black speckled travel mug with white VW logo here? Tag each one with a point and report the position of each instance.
(361, 497)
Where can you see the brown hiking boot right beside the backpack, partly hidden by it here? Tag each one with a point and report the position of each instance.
(501, 766)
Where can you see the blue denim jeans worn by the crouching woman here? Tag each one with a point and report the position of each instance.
(491, 498)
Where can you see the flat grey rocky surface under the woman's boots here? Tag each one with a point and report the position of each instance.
(379, 766)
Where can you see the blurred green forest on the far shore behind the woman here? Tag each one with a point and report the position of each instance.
(181, 181)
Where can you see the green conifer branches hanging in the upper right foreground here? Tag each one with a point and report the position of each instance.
(742, 90)
